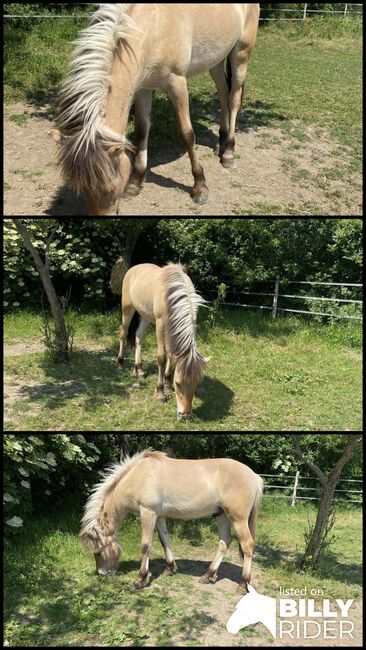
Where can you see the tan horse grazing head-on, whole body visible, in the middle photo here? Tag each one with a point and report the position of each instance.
(166, 297)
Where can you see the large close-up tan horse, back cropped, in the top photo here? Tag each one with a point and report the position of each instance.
(127, 52)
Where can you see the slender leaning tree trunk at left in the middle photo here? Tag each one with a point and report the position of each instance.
(62, 341)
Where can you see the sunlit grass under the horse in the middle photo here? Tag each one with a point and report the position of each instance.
(281, 375)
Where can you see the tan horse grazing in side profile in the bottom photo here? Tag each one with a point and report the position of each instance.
(154, 486)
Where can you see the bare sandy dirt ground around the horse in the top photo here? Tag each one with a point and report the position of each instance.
(277, 173)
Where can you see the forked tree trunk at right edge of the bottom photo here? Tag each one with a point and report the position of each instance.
(316, 539)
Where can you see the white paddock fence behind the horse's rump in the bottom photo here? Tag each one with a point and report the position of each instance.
(299, 488)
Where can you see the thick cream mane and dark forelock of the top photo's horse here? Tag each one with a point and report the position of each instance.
(83, 156)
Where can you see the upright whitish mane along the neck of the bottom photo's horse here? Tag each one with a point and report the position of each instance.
(110, 477)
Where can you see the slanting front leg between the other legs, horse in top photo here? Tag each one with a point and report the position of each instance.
(178, 92)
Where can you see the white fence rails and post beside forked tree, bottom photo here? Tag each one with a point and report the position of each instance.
(295, 488)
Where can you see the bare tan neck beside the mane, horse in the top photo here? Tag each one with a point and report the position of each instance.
(124, 84)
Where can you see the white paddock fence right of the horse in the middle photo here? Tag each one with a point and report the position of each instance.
(276, 296)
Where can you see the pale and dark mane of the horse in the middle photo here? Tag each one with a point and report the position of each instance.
(182, 304)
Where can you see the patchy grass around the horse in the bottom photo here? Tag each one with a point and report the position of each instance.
(53, 598)
